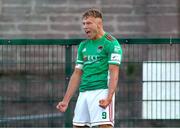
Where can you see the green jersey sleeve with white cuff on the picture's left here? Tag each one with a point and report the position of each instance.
(79, 58)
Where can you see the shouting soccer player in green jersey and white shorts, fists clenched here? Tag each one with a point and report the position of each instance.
(96, 74)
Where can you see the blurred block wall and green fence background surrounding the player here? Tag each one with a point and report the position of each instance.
(38, 46)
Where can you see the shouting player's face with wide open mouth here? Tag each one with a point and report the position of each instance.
(90, 26)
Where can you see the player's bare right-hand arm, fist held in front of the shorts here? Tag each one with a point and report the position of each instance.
(114, 73)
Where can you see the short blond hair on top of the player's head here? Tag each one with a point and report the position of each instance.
(93, 12)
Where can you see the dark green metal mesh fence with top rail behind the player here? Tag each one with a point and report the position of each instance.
(34, 74)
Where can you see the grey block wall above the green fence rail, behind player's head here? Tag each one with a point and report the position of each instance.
(62, 18)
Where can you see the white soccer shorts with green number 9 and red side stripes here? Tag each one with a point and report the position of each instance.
(88, 112)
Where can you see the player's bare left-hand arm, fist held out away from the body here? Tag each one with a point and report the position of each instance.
(72, 87)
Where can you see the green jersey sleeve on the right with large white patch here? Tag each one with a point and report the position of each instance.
(114, 53)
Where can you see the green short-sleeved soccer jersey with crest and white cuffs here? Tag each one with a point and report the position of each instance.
(94, 57)
